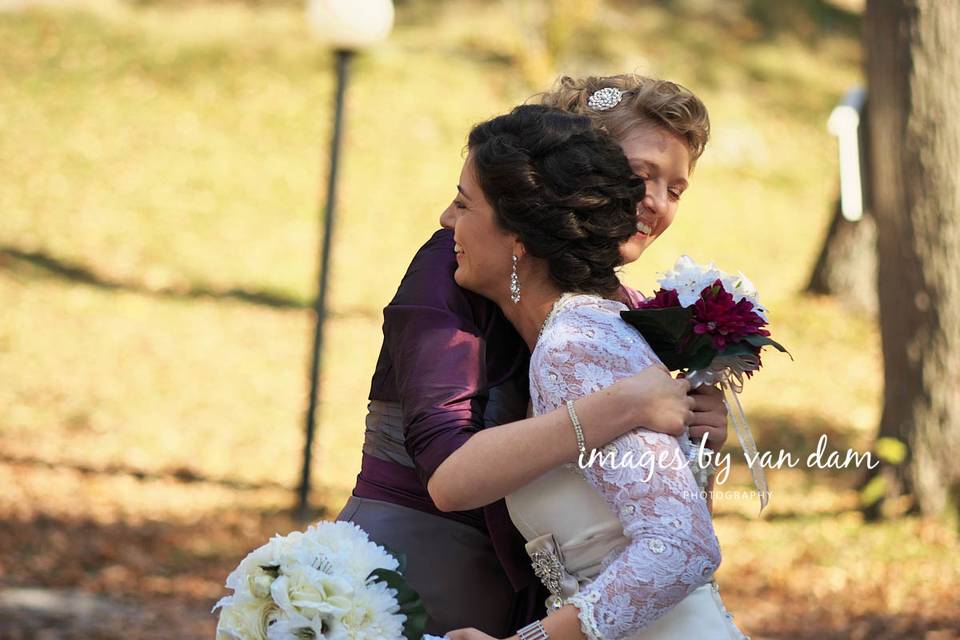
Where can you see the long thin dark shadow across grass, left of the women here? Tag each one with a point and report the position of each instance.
(18, 260)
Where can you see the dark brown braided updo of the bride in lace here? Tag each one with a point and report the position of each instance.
(564, 188)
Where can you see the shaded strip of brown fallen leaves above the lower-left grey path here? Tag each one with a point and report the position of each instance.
(68, 552)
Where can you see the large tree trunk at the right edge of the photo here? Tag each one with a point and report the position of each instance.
(913, 74)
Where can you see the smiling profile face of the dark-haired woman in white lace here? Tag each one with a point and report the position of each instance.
(484, 249)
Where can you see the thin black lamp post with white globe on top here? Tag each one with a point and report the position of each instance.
(346, 26)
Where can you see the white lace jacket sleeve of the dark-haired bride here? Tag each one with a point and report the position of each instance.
(673, 548)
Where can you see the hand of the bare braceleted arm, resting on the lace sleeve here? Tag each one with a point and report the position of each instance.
(657, 401)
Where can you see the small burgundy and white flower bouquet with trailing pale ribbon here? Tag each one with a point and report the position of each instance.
(709, 325)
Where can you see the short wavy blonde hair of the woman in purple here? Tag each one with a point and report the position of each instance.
(646, 101)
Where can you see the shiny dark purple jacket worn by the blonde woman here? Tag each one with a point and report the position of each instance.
(456, 366)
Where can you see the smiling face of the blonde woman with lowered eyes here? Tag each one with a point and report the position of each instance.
(662, 159)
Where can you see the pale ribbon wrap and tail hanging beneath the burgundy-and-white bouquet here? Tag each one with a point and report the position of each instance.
(728, 372)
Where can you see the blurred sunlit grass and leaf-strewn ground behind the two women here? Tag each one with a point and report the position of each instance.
(161, 167)
